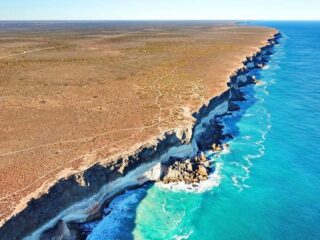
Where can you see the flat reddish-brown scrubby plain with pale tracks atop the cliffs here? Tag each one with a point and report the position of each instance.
(74, 94)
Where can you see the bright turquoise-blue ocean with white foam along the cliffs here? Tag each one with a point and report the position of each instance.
(267, 185)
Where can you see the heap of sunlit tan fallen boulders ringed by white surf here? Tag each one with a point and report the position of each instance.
(188, 171)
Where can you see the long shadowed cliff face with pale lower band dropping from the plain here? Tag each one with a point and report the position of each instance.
(80, 197)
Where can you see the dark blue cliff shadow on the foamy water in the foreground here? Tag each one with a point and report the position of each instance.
(118, 221)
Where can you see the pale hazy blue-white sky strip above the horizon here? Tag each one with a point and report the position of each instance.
(158, 9)
